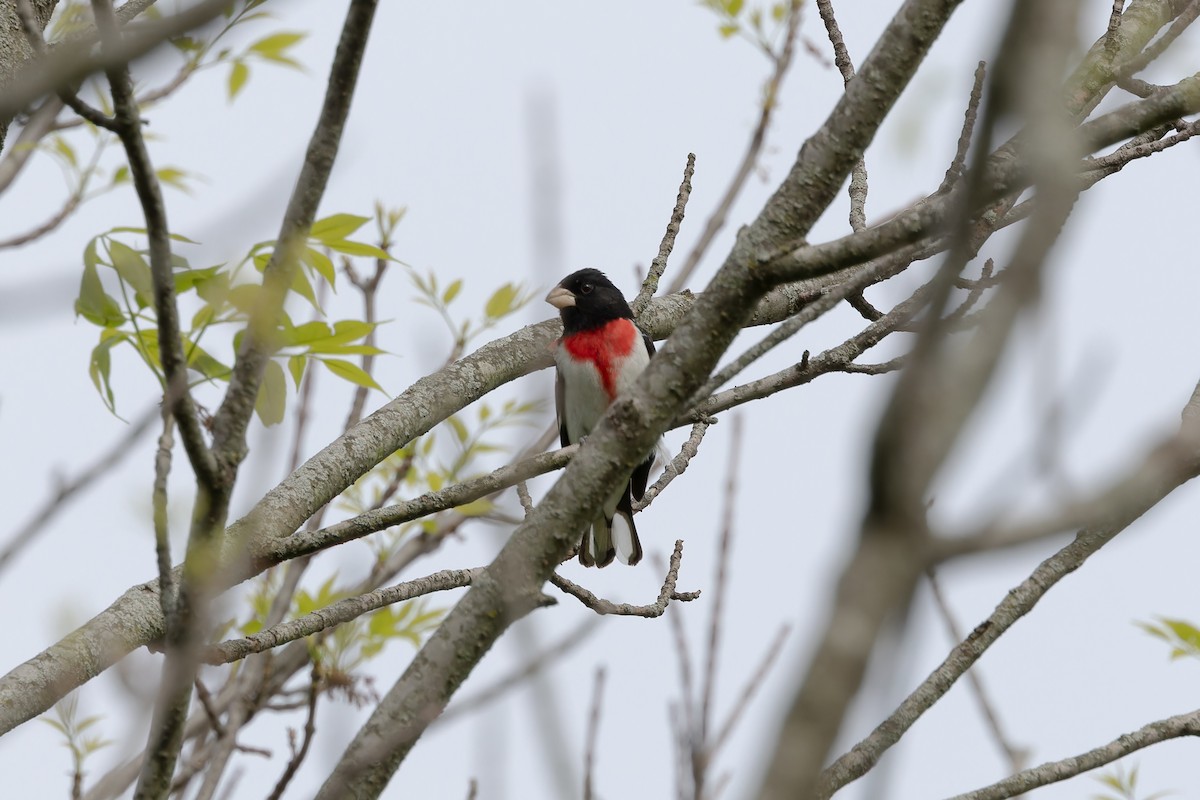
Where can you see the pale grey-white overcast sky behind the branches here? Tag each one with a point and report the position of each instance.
(441, 124)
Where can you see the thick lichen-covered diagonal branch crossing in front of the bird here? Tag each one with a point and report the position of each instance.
(634, 423)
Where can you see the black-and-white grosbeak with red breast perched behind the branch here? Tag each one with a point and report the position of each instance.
(601, 356)
